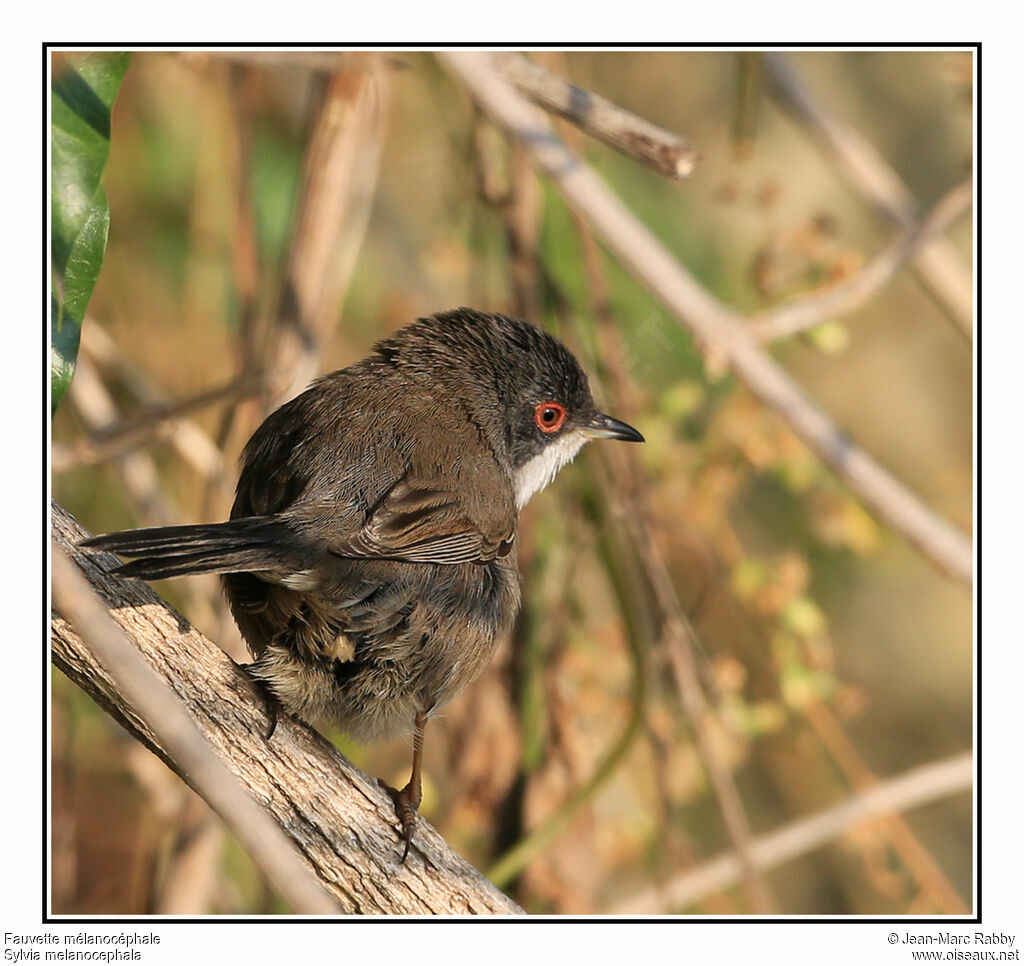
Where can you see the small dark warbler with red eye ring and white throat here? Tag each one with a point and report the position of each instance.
(370, 560)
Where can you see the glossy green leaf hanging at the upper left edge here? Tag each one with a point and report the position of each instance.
(84, 87)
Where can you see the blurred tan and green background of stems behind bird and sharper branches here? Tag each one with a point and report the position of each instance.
(717, 640)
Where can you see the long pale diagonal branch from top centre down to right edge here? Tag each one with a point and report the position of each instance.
(718, 330)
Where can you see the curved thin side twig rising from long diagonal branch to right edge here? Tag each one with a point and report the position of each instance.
(807, 312)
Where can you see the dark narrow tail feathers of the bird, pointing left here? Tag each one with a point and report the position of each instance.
(253, 543)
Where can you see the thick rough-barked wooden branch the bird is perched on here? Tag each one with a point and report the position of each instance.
(342, 820)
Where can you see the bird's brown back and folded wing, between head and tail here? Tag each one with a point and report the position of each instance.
(450, 501)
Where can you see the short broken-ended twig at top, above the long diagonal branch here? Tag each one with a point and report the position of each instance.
(666, 153)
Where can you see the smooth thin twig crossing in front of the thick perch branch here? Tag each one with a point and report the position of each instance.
(170, 724)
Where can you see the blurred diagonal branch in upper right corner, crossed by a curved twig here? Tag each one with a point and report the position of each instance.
(938, 265)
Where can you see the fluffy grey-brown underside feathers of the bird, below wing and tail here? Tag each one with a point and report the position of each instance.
(407, 647)
